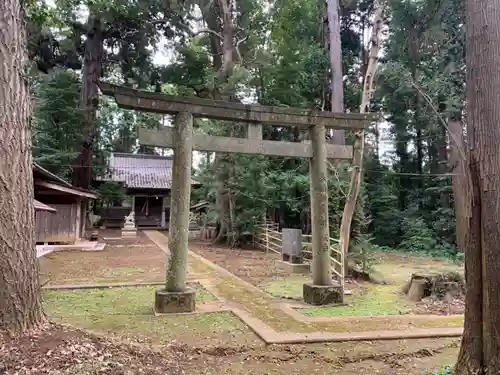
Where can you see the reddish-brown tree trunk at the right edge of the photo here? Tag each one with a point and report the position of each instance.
(480, 350)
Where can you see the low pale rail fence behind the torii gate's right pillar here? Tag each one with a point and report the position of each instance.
(269, 238)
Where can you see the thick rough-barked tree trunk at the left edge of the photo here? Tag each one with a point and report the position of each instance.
(20, 298)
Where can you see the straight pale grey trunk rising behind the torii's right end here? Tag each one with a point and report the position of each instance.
(335, 49)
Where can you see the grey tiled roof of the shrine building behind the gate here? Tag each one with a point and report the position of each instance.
(141, 171)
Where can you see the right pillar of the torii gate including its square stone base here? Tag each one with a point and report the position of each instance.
(321, 291)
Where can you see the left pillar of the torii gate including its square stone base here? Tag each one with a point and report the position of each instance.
(177, 297)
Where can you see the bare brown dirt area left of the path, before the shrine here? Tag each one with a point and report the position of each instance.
(122, 260)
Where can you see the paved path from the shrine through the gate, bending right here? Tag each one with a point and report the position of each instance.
(276, 322)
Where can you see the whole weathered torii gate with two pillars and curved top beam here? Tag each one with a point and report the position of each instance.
(176, 296)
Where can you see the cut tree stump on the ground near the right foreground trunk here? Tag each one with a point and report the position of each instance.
(437, 285)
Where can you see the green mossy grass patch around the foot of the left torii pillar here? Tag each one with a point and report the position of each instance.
(128, 312)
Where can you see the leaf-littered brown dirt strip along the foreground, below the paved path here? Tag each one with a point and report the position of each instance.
(63, 350)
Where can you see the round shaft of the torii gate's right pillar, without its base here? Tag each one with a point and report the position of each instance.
(321, 271)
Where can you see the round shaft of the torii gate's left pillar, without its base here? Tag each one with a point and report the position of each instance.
(179, 204)
